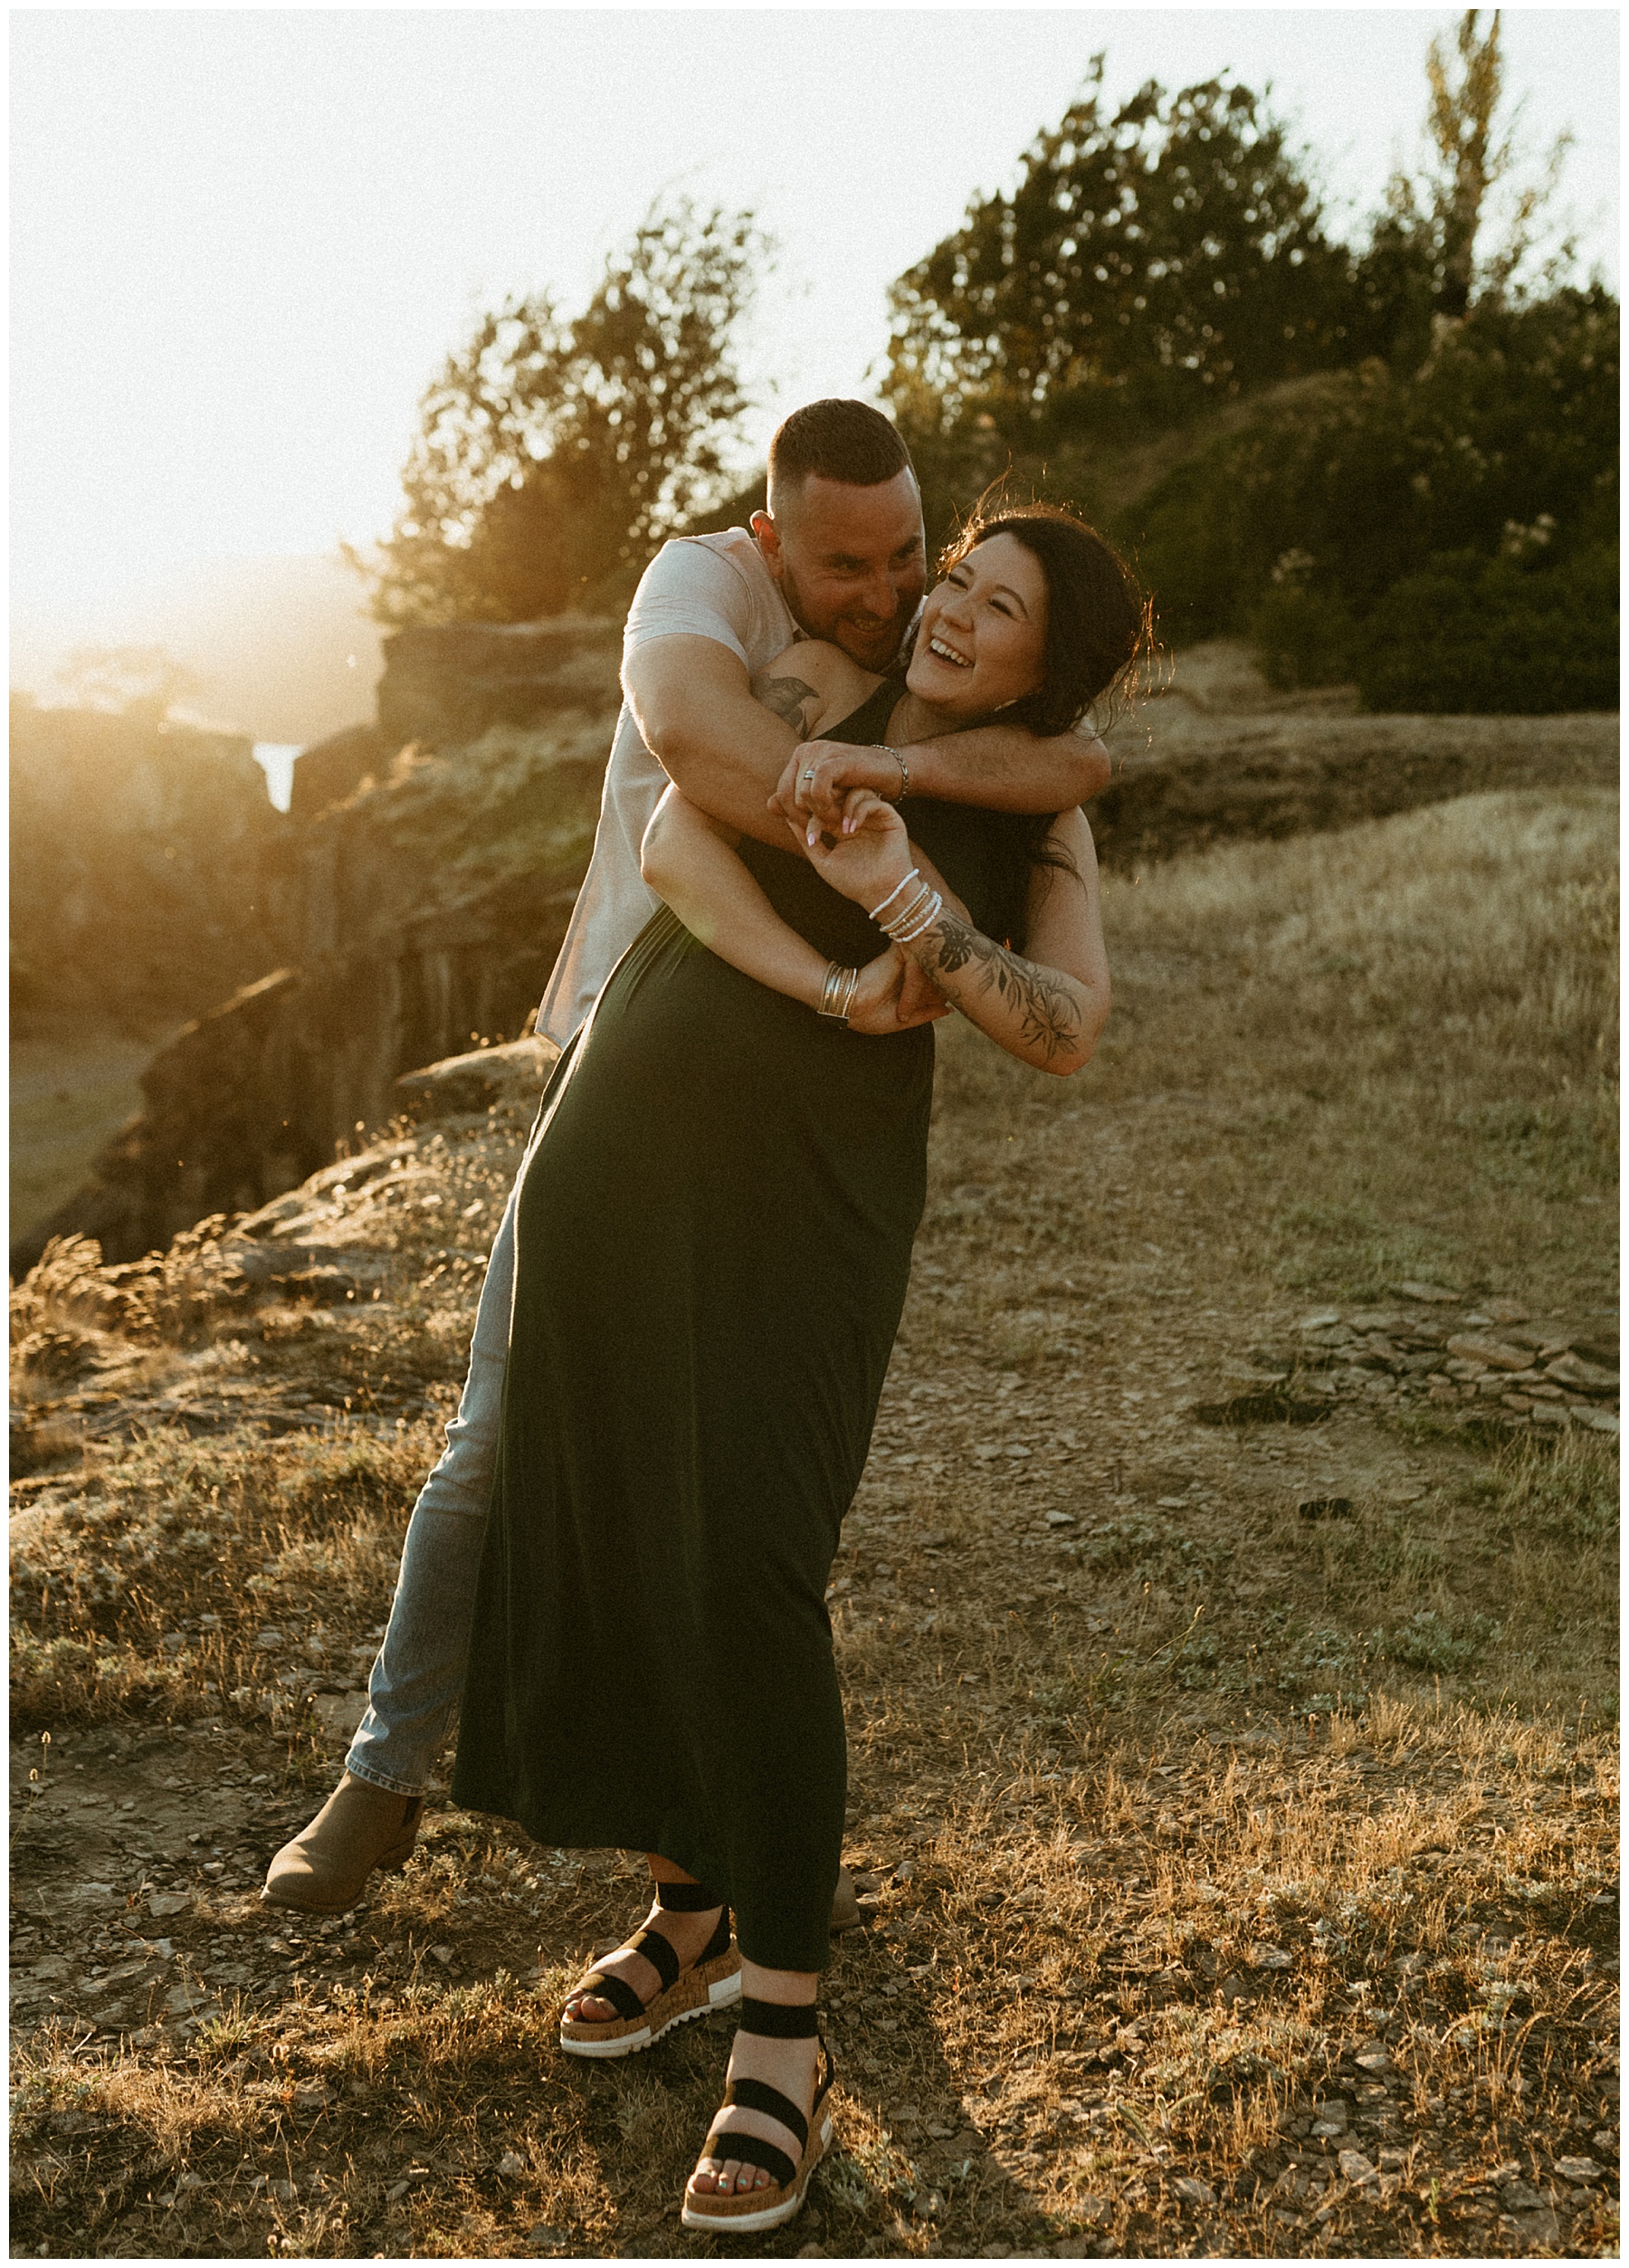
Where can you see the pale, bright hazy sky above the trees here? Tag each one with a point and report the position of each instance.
(244, 239)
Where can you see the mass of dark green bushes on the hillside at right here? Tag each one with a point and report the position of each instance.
(1505, 441)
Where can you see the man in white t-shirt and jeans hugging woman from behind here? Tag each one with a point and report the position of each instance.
(841, 557)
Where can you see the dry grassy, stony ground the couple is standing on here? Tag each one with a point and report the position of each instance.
(1231, 1666)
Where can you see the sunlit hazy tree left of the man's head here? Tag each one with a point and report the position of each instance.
(557, 455)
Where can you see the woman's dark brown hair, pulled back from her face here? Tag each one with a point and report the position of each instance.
(1097, 618)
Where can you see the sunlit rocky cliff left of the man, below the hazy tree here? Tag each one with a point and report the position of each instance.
(412, 915)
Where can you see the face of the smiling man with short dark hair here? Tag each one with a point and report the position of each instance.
(850, 561)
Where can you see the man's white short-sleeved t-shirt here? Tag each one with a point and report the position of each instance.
(698, 586)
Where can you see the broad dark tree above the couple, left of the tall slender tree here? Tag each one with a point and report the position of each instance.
(1163, 255)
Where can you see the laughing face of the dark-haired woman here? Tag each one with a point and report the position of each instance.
(984, 632)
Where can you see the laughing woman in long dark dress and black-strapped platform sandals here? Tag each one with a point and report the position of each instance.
(714, 1246)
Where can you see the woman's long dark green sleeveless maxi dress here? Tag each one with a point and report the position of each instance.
(714, 1246)
